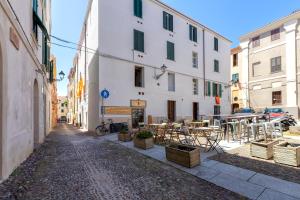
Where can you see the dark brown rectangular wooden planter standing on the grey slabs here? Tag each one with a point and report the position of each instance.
(184, 155)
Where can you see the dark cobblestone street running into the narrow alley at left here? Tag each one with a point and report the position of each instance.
(71, 165)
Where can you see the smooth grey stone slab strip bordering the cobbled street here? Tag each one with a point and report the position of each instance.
(242, 181)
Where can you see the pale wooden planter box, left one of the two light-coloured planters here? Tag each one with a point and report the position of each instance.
(262, 149)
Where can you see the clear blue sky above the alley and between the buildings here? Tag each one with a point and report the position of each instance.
(231, 18)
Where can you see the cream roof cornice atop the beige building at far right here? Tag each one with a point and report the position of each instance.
(270, 26)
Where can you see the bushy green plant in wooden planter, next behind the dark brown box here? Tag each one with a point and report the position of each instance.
(143, 140)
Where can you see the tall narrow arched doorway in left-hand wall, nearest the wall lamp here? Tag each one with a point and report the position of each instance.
(36, 112)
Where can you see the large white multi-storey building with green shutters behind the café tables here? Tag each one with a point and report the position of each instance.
(156, 63)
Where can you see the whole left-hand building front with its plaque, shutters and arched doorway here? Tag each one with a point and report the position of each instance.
(25, 102)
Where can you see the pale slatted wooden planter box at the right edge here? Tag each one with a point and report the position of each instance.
(287, 153)
